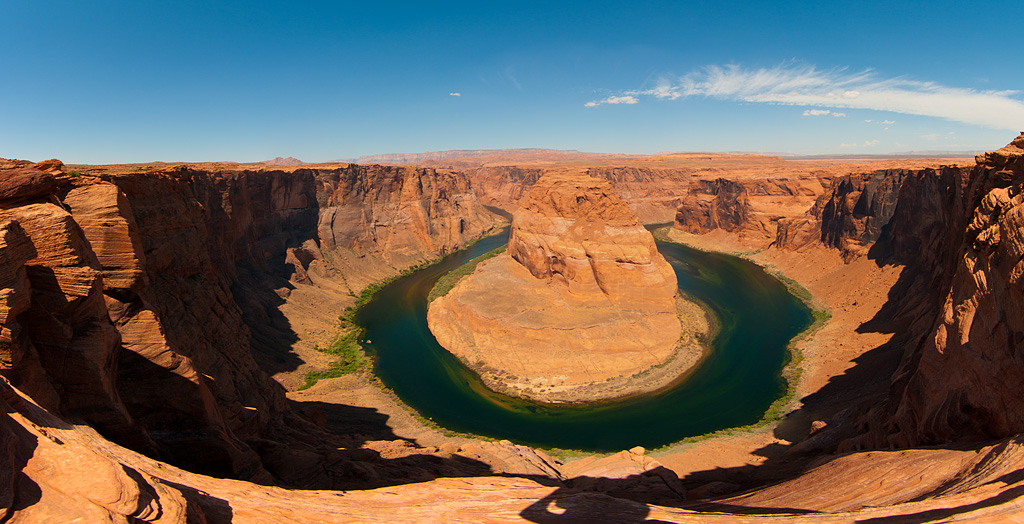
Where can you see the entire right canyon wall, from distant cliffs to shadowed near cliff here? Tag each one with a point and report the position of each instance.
(957, 309)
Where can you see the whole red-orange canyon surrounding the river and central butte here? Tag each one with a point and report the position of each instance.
(156, 320)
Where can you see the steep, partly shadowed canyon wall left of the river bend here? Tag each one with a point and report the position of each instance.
(131, 300)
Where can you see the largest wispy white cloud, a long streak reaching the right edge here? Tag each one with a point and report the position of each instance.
(793, 84)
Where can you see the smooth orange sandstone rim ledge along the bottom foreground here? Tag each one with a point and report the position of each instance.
(52, 471)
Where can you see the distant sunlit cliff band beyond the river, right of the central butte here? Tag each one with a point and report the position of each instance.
(796, 205)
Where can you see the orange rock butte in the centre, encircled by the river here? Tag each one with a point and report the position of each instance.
(580, 309)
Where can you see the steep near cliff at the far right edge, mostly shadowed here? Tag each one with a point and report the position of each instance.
(963, 379)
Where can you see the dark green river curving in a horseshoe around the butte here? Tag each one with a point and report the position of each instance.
(734, 386)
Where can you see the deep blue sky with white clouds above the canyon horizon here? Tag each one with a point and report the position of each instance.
(132, 81)
